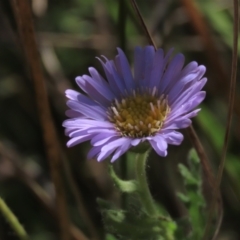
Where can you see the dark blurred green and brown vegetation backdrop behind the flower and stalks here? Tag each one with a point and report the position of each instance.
(70, 34)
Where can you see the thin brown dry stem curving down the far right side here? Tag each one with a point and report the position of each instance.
(229, 116)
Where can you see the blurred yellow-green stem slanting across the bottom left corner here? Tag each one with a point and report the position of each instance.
(13, 221)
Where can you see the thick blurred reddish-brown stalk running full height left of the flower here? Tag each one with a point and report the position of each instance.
(23, 15)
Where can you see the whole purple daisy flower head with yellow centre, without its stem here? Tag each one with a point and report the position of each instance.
(129, 109)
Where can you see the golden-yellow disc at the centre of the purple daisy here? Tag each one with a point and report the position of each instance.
(139, 115)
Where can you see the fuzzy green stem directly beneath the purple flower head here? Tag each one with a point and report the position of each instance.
(144, 193)
